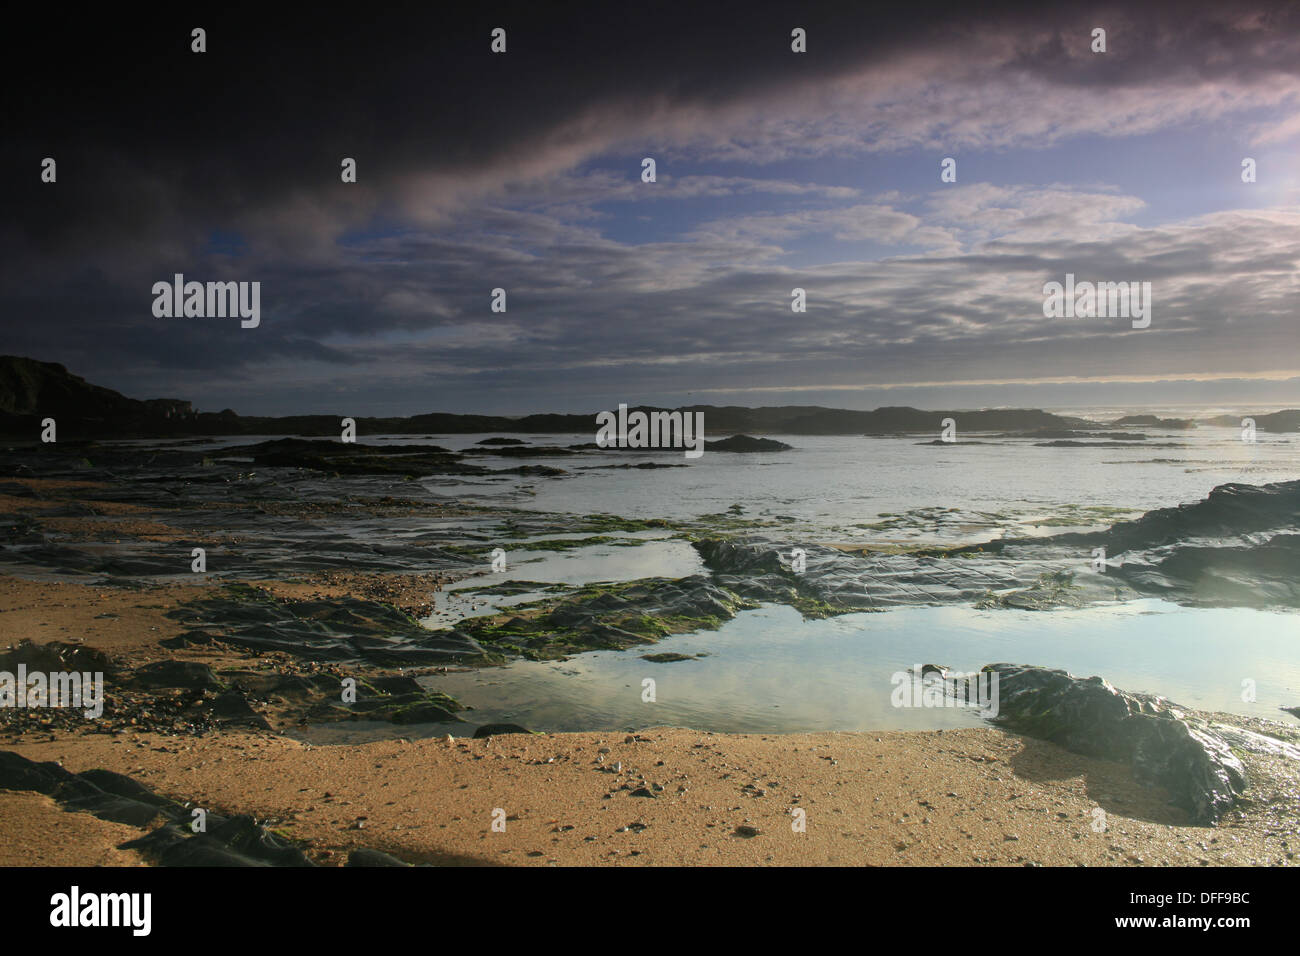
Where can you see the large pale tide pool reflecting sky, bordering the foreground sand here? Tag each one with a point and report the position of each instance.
(772, 672)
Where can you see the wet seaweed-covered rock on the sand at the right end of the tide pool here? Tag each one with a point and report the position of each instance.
(1091, 717)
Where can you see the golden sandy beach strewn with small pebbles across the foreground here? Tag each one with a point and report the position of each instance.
(664, 797)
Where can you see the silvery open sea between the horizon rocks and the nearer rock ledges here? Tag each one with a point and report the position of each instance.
(834, 483)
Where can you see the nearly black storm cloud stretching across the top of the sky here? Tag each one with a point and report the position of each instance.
(158, 142)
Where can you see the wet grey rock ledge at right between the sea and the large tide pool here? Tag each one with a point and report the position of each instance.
(1240, 547)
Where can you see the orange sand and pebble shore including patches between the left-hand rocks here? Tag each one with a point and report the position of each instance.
(214, 728)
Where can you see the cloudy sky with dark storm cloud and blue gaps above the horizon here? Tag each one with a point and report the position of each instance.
(774, 170)
